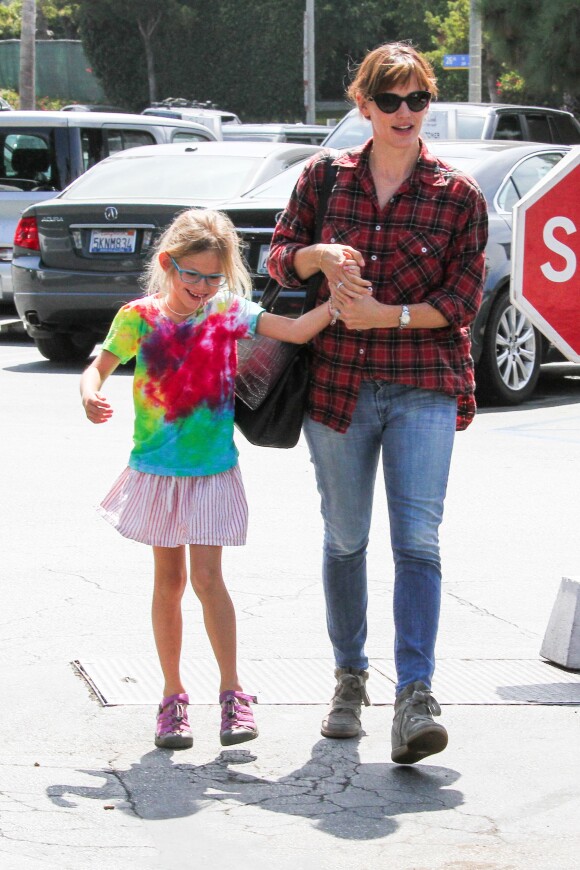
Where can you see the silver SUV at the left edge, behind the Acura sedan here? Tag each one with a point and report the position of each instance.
(42, 152)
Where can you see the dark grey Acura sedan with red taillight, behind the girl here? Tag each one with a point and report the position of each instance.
(78, 257)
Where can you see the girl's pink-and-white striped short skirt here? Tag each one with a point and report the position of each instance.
(172, 511)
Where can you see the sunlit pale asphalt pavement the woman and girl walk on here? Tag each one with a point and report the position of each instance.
(82, 784)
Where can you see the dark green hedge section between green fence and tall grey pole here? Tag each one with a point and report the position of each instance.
(239, 53)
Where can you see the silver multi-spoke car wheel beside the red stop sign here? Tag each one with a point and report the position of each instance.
(509, 367)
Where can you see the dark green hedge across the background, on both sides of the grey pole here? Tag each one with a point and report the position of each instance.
(243, 54)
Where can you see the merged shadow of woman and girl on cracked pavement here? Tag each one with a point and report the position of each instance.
(343, 797)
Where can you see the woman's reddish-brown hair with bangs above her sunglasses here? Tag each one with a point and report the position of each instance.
(391, 65)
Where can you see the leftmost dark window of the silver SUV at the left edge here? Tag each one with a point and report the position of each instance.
(27, 160)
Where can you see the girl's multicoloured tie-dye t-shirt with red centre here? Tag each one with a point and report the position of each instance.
(183, 388)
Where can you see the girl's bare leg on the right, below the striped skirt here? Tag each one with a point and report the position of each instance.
(218, 610)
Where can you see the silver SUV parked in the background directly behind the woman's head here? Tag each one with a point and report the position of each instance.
(473, 121)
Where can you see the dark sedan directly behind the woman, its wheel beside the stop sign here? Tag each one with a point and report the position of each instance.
(507, 349)
